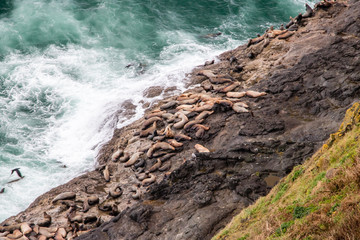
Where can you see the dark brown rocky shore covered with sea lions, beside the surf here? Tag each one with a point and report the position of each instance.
(195, 160)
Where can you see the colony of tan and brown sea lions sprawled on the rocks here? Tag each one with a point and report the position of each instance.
(151, 152)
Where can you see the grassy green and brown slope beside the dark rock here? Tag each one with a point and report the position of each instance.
(317, 200)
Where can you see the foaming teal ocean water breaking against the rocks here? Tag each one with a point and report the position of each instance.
(63, 73)
